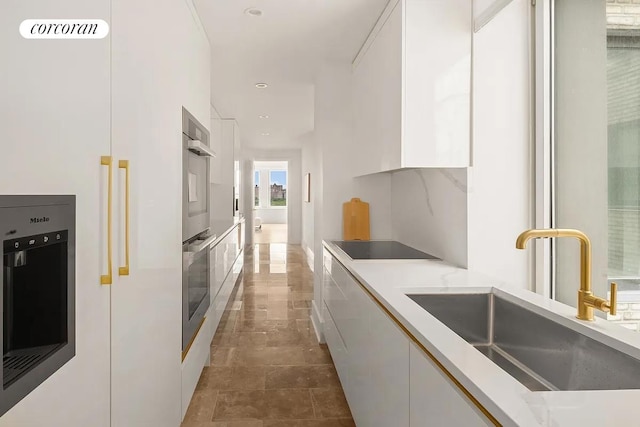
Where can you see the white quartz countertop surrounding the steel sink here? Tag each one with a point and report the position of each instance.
(510, 402)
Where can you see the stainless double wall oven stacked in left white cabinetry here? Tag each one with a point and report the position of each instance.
(196, 238)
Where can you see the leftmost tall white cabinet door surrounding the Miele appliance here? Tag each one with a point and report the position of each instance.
(54, 127)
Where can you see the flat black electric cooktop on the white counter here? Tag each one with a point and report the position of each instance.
(380, 249)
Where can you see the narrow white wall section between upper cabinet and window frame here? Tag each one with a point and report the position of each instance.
(499, 182)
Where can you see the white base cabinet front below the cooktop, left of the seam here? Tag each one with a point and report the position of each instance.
(370, 353)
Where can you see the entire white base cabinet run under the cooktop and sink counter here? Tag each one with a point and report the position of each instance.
(387, 379)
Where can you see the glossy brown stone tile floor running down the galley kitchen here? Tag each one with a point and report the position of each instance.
(267, 368)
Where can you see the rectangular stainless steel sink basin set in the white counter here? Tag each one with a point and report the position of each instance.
(538, 352)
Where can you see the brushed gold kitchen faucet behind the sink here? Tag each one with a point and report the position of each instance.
(587, 301)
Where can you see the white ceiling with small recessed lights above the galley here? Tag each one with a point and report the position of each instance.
(284, 48)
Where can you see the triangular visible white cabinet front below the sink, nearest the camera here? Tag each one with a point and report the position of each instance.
(435, 398)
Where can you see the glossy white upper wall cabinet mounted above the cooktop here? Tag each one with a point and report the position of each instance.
(412, 88)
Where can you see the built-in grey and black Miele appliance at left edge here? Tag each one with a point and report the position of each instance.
(38, 291)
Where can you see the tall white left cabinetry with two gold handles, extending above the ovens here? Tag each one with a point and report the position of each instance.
(120, 96)
